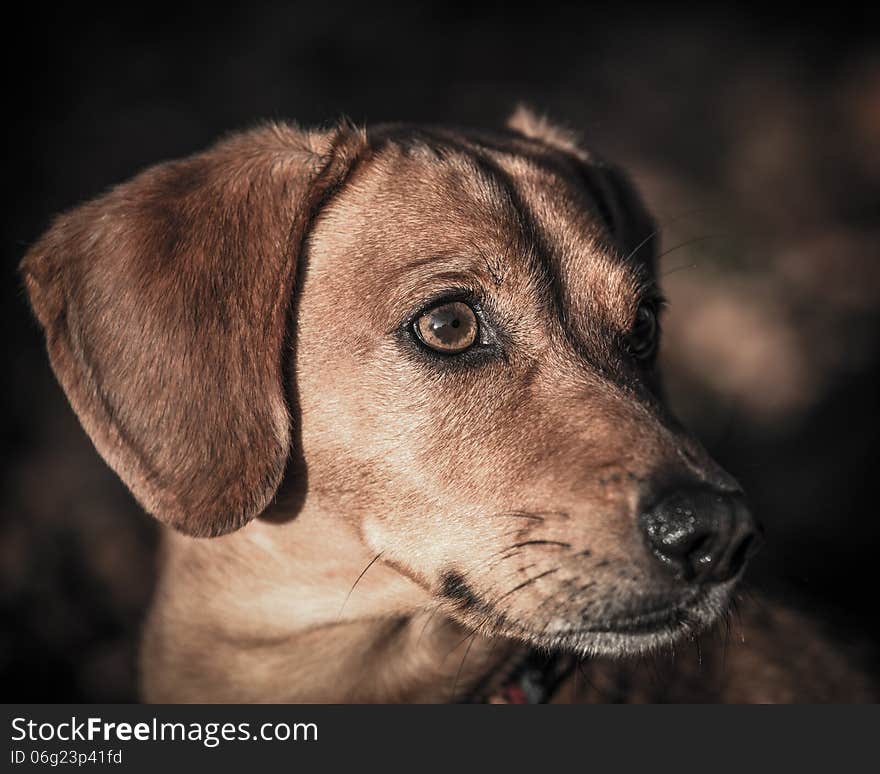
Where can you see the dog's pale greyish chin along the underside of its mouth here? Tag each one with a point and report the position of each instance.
(634, 634)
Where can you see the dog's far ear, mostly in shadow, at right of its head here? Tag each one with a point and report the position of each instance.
(613, 194)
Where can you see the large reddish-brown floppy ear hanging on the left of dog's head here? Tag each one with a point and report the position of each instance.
(164, 304)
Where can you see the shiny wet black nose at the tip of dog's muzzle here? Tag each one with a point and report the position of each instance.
(701, 534)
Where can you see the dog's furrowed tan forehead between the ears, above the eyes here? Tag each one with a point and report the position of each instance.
(501, 207)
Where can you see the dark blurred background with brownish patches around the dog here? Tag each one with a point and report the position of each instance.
(755, 138)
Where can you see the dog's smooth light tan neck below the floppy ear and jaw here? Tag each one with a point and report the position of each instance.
(300, 625)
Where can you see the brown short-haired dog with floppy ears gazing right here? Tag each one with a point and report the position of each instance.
(405, 380)
